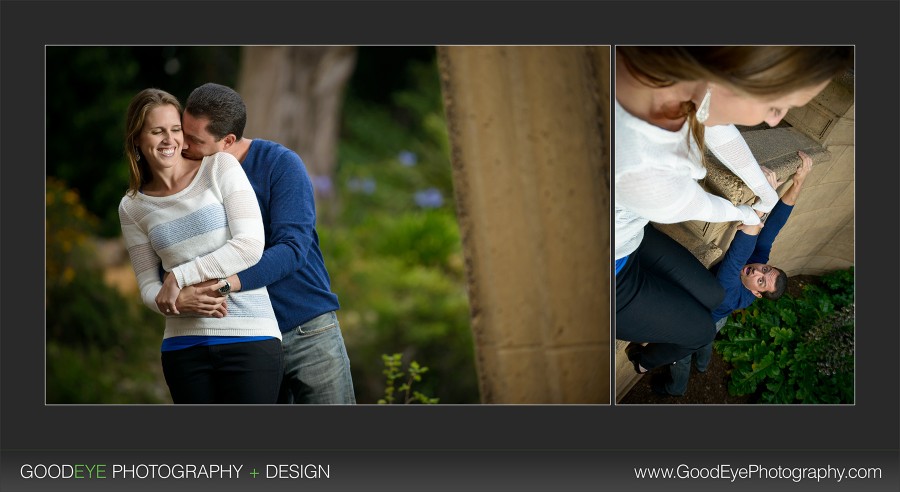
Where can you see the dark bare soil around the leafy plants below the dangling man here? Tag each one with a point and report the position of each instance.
(708, 388)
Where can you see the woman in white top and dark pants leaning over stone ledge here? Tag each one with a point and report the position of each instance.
(671, 103)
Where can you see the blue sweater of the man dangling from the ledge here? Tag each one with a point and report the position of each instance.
(746, 249)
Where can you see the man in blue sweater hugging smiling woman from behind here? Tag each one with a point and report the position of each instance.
(317, 368)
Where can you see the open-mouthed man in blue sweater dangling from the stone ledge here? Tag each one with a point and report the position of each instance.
(745, 276)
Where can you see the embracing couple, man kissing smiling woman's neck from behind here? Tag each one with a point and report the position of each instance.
(221, 231)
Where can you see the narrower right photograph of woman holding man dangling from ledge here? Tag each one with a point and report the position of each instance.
(734, 225)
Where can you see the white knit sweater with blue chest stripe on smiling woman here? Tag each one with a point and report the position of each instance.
(211, 229)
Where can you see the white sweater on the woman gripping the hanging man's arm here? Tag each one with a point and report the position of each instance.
(656, 174)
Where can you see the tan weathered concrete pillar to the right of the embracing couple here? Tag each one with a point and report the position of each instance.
(529, 132)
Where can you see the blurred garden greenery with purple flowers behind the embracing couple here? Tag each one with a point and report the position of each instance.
(387, 221)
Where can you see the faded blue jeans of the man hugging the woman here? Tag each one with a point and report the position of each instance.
(316, 366)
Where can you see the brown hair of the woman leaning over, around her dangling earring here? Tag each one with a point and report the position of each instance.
(763, 71)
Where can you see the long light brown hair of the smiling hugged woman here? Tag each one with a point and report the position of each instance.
(140, 105)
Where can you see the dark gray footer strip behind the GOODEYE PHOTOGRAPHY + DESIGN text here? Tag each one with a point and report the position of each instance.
(430, 470)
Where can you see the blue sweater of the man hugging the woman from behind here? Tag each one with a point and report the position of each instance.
(292, 267)
